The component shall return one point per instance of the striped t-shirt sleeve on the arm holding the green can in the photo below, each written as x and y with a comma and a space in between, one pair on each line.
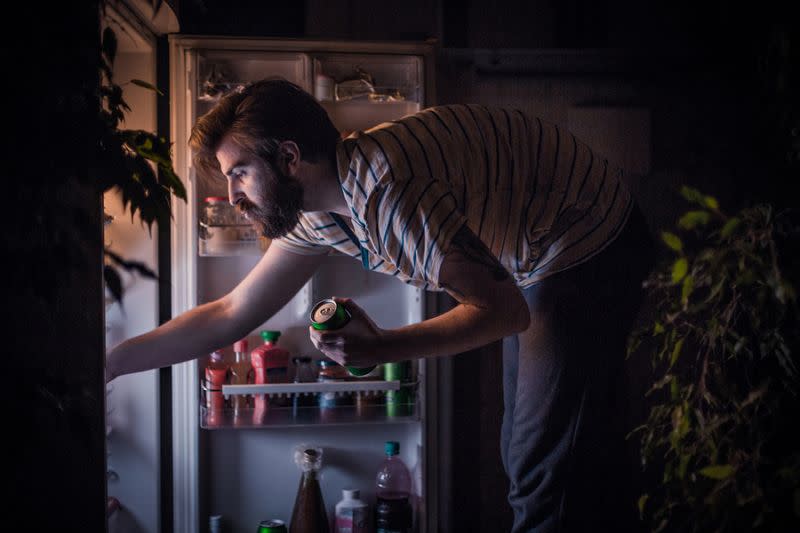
413, 222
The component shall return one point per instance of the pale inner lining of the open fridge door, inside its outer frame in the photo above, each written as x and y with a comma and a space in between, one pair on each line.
247, 474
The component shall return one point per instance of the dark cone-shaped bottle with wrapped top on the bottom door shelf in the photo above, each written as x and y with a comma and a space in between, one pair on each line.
309, 514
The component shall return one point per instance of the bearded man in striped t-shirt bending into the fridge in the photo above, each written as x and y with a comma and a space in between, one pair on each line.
533, 234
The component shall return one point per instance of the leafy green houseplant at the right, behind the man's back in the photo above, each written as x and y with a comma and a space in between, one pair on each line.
719, 444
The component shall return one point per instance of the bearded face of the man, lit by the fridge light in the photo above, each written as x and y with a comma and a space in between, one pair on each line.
270, 199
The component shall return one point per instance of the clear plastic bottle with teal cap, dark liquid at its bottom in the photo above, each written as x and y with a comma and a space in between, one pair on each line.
393, 512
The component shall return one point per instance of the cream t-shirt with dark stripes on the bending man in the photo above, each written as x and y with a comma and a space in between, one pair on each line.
539, 198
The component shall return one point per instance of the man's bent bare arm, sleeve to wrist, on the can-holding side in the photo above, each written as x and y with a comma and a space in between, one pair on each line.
491, 306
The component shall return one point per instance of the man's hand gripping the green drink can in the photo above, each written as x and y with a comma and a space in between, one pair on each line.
360, 343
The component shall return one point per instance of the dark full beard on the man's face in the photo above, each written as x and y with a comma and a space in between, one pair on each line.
283, 213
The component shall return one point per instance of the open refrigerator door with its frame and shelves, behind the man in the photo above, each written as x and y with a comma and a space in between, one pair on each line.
242, 467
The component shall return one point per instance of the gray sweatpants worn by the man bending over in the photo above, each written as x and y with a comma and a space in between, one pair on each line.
562, 440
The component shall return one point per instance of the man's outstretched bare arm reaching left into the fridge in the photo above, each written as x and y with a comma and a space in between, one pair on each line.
264, 291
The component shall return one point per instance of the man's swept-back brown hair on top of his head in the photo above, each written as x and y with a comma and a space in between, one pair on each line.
258, 118
